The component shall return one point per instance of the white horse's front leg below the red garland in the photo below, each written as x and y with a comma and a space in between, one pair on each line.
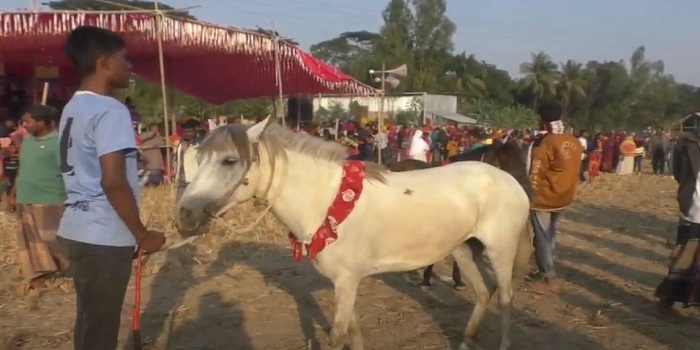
345, 322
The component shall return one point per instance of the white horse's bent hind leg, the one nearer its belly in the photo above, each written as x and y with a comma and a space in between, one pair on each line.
465, 259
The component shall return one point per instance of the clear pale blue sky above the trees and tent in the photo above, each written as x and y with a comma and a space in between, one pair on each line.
501, 32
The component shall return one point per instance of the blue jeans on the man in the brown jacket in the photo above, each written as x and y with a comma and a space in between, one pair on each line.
544, 224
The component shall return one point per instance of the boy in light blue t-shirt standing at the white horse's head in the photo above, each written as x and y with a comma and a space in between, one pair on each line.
100, 228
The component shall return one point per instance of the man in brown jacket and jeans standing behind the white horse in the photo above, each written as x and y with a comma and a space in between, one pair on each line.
554, 161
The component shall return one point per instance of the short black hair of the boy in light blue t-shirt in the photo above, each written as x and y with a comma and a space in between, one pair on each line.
86, 44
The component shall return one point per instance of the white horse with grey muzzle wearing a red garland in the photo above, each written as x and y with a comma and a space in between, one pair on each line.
400, 221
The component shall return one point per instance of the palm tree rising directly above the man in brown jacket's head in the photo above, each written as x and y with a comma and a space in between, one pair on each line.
540, 76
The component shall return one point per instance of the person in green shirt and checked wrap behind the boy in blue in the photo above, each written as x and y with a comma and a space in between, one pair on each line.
37, 196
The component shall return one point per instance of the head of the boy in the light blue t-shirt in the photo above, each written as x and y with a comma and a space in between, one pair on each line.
99, 53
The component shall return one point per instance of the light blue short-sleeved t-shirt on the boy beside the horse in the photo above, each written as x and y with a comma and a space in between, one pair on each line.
91, 126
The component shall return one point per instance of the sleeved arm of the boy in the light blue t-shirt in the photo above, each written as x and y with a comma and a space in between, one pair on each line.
114, 140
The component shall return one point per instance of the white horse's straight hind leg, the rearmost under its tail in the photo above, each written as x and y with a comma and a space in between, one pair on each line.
502, 265
